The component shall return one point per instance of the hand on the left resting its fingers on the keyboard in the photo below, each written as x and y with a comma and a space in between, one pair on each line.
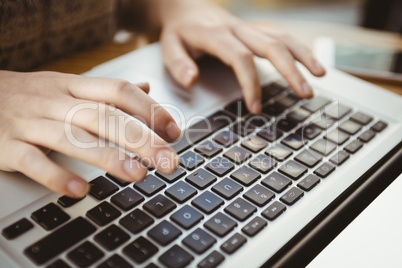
73, 115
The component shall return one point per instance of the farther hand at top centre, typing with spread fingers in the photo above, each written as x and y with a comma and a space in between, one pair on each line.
190, 28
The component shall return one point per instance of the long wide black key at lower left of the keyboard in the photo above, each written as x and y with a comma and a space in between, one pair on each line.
60, 240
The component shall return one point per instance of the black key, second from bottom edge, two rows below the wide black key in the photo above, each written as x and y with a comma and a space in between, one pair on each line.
140, 250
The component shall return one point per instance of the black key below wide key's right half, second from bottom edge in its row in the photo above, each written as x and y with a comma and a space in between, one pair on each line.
85, 255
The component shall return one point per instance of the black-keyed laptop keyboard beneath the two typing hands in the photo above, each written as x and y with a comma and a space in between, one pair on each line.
237, 173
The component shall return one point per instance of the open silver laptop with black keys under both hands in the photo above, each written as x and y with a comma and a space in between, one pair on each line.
251, 191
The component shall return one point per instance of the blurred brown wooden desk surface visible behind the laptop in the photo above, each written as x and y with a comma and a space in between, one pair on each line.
83, 61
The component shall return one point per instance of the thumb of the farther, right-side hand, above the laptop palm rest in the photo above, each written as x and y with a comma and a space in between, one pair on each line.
178, 60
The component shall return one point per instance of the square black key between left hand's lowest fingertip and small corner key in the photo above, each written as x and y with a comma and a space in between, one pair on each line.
50, 216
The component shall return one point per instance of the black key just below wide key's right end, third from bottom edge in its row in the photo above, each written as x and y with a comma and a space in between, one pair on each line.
112, 237
